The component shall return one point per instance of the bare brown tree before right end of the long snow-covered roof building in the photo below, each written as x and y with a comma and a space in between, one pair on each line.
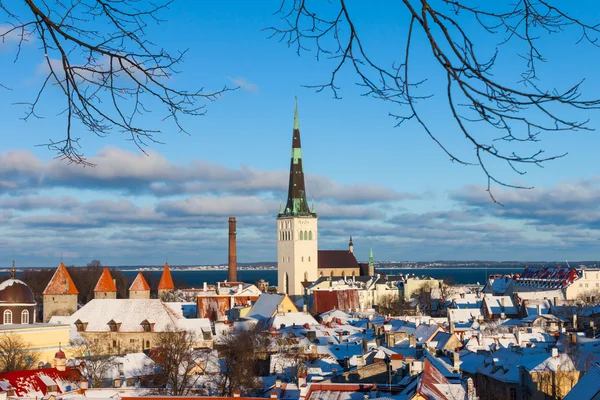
178, 362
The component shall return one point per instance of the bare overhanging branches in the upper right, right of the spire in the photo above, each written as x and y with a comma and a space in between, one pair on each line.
454, 37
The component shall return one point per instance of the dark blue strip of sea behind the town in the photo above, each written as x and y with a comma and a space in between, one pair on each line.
197, 278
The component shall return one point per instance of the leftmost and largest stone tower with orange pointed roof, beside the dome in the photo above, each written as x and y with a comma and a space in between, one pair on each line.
60, 296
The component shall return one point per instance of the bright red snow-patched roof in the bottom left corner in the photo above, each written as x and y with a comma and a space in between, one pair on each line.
29, 383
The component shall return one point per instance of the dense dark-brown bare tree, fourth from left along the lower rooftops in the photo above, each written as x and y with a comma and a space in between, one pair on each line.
240, 349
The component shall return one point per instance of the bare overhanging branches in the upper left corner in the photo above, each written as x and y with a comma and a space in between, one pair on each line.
98, 56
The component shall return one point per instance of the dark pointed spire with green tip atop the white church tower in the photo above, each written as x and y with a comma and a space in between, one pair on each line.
296, 204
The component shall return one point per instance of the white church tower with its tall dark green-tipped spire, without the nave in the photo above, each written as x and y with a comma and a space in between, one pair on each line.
297, 240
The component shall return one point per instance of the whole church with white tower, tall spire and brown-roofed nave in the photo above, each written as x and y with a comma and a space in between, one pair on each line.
298, 258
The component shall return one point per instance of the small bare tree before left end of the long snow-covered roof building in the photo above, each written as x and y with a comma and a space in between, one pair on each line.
97, 358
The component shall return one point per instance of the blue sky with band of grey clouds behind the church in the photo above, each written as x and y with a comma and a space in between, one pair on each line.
391, 188
